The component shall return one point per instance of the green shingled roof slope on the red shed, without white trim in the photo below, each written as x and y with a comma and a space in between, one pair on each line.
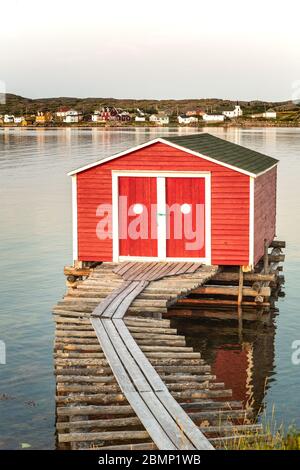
225, 152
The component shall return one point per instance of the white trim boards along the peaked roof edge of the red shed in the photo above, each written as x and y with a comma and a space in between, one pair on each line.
171, 144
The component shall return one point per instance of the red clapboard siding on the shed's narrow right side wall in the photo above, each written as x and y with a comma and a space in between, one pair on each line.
264, 211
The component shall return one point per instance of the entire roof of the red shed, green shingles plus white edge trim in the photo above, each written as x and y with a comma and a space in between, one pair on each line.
208, 147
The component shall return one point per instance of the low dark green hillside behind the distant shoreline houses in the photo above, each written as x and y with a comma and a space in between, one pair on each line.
19, 105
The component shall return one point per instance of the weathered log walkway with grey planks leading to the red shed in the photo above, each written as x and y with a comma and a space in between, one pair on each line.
138, 368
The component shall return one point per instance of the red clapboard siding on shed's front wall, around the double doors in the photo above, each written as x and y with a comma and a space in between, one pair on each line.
229, 211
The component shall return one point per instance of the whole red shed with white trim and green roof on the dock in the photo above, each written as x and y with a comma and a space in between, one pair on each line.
195, 197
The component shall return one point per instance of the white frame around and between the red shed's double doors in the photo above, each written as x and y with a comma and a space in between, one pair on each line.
161, 203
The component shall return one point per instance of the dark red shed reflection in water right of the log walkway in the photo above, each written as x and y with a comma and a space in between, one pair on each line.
241, 358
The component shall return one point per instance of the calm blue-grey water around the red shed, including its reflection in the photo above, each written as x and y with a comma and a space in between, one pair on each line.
35, 243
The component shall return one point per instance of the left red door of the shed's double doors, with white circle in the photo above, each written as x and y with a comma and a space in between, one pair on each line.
137, 216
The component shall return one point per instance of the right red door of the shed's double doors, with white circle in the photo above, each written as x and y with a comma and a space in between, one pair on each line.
185, 199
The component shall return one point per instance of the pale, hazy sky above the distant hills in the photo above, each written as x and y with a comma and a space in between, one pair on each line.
157, 49
